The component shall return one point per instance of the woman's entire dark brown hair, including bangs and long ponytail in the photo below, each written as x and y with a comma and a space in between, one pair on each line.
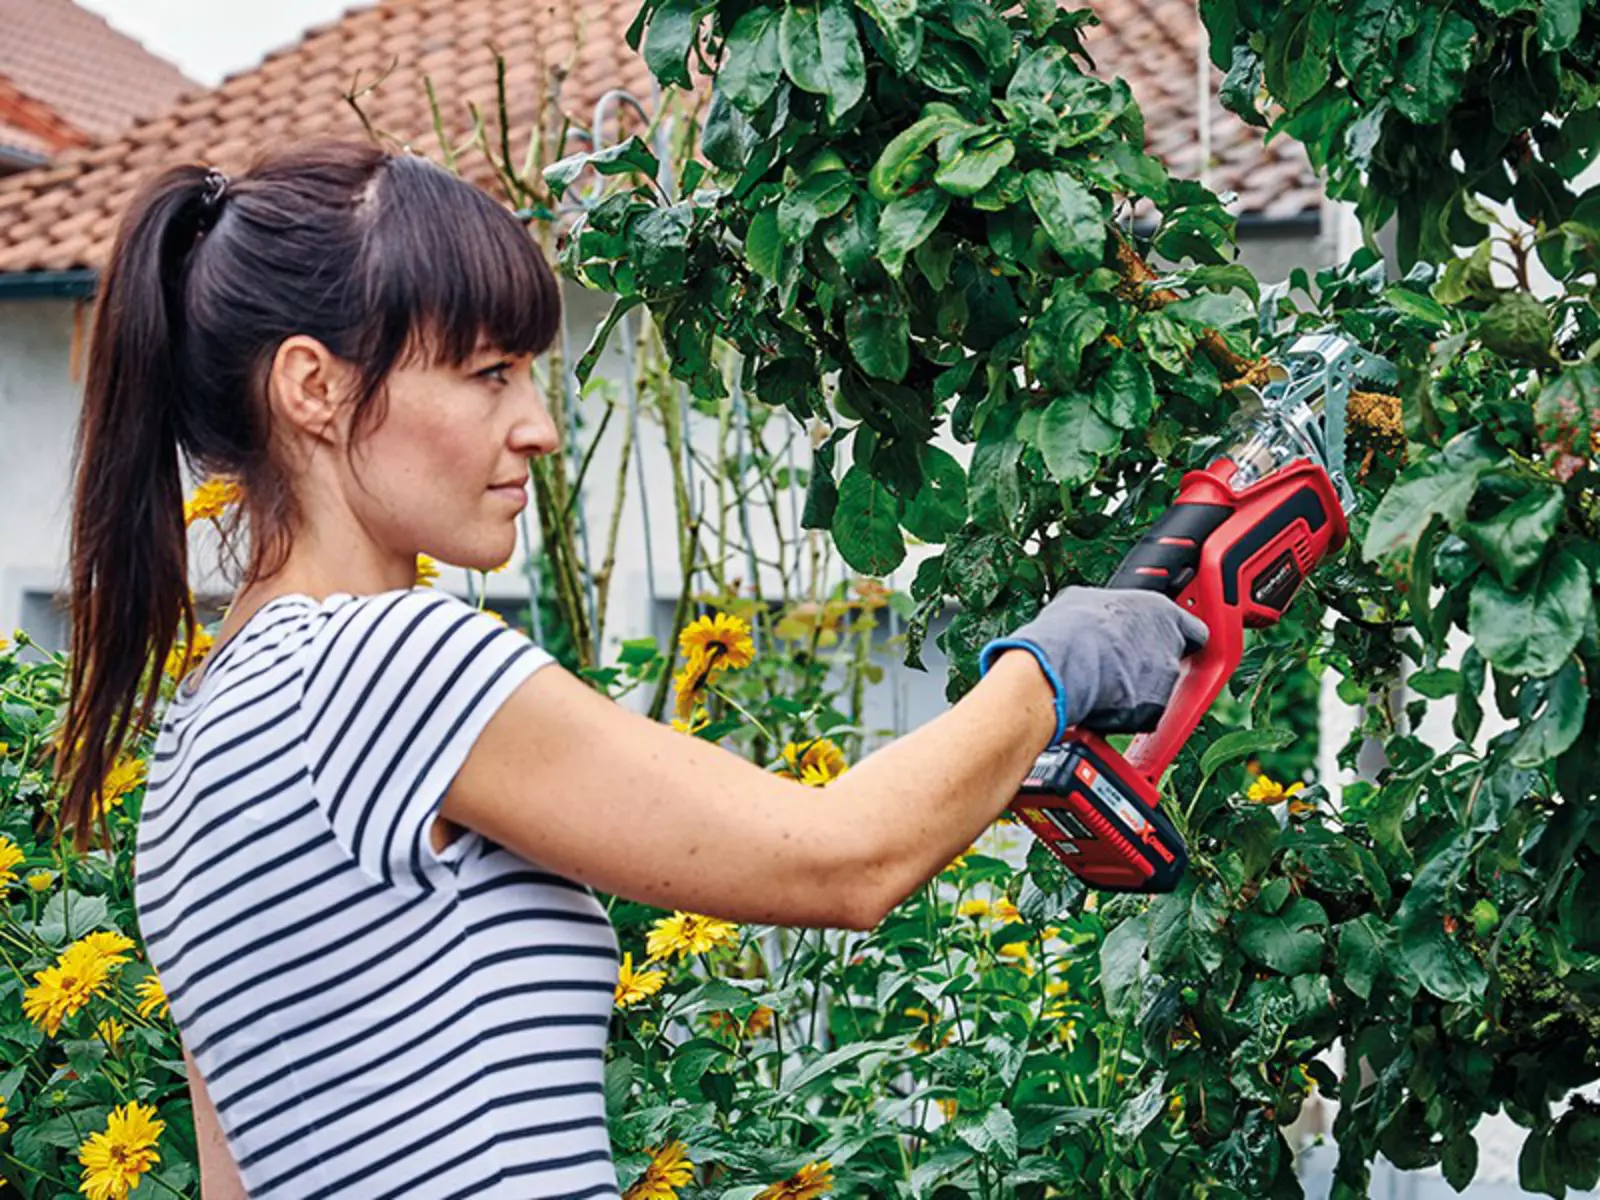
382, 257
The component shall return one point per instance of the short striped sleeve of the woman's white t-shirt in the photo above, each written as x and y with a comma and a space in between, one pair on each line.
398, 689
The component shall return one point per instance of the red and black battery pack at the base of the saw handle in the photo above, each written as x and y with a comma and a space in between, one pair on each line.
1102, 818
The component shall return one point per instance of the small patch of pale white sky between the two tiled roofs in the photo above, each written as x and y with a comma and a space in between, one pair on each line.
209, 39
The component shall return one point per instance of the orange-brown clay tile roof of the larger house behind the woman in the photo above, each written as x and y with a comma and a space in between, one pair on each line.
578, 46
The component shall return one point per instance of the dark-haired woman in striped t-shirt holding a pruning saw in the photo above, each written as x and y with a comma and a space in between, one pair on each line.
375, 815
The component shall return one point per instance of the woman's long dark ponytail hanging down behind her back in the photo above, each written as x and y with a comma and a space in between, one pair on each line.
130, 559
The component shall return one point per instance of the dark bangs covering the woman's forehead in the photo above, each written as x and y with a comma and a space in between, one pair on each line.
455, 271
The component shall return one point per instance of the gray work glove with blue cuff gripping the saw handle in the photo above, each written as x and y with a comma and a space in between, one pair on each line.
1113, 655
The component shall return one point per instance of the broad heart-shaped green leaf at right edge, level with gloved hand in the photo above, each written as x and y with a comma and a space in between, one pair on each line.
1532, 633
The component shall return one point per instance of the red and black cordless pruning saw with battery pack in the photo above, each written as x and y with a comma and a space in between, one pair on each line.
1233, 550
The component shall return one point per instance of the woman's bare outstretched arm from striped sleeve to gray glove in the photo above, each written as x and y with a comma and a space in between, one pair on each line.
593, 791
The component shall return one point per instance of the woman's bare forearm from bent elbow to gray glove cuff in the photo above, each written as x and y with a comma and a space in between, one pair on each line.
926, 798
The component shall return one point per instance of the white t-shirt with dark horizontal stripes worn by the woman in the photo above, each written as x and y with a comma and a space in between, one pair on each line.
372, 1020
